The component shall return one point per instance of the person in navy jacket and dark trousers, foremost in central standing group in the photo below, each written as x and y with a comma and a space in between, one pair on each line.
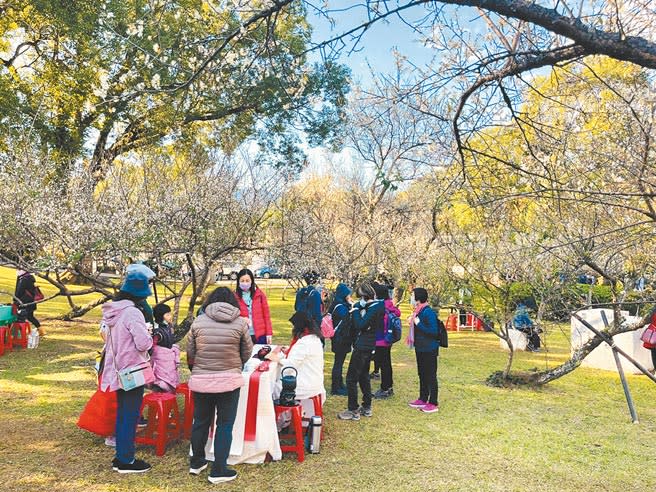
368, 317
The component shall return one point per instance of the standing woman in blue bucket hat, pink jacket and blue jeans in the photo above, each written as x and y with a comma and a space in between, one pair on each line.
128, 341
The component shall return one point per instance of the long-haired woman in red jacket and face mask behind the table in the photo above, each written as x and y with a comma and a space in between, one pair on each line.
254, 307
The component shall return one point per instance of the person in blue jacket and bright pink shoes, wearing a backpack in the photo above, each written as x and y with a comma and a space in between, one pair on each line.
424, 337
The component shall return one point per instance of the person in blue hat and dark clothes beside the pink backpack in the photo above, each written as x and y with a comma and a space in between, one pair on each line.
340, 344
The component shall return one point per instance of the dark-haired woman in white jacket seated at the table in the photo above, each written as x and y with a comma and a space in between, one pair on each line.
305, 354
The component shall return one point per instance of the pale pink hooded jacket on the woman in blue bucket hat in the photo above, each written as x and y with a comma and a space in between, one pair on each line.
128, 341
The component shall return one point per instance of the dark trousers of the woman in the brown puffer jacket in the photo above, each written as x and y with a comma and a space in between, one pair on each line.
206, 406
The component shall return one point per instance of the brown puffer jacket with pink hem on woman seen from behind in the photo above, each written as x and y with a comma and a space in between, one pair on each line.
217, 348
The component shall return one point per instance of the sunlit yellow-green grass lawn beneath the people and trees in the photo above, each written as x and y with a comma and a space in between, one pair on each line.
573, 435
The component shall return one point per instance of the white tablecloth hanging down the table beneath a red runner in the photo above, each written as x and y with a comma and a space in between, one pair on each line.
266, 435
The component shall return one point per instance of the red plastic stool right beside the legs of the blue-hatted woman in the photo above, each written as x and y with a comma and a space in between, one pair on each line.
160, 407
